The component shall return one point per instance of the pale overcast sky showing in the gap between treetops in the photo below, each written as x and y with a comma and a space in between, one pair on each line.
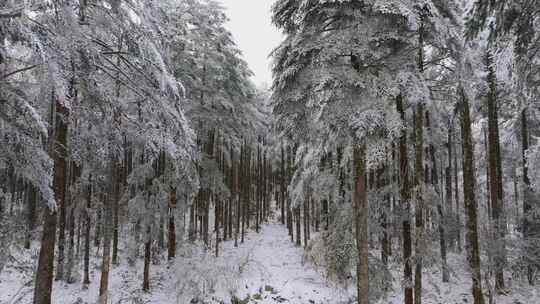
251, 26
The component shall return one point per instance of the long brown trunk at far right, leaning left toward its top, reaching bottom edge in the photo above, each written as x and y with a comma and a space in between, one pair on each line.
473, 247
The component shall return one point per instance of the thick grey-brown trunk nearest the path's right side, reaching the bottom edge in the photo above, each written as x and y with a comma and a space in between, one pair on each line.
361, 211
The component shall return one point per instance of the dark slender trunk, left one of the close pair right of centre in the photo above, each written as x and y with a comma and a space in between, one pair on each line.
405, 196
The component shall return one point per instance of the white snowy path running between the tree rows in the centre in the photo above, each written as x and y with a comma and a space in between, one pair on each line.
277, 272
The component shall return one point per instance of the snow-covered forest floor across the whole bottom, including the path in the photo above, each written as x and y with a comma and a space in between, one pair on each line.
267, 268
